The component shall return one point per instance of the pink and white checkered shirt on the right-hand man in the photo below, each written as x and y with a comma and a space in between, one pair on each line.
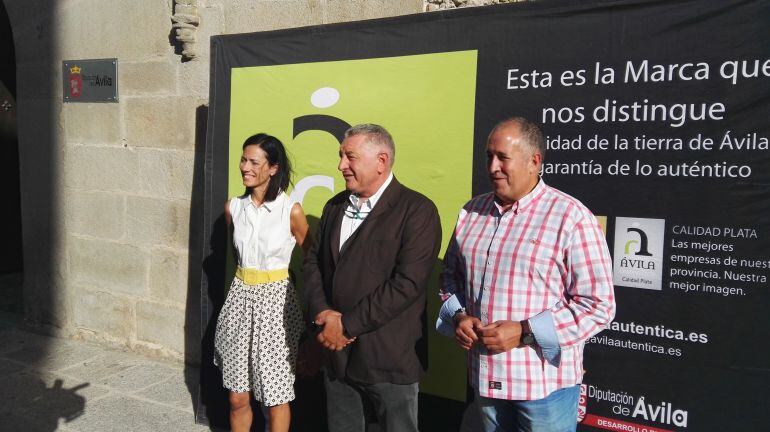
547, 253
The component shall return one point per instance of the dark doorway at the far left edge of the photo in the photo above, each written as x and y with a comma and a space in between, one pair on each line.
10, 217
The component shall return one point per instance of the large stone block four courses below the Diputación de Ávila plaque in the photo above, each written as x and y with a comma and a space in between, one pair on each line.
108, 266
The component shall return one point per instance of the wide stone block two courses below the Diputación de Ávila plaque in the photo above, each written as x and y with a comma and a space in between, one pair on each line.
101, 168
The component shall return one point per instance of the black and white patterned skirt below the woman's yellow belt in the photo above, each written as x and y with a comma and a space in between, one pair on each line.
256, 340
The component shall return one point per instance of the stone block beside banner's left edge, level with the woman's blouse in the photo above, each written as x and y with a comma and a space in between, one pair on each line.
162, 222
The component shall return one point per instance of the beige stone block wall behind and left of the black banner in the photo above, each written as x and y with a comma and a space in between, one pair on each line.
107, 192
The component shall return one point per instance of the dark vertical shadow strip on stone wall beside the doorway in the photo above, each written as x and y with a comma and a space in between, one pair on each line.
35, 48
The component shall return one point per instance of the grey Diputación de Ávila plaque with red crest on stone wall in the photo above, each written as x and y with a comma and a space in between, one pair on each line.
93, 80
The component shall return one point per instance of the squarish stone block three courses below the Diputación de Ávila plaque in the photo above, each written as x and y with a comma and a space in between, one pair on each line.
95, 214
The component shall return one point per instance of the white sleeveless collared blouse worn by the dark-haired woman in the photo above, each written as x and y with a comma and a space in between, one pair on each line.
262, 235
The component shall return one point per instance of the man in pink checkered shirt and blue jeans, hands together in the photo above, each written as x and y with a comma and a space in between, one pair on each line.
527, 280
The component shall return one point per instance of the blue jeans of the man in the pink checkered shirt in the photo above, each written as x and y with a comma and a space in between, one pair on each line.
556, 412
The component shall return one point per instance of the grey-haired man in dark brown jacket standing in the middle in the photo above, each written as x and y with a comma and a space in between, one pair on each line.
365, 287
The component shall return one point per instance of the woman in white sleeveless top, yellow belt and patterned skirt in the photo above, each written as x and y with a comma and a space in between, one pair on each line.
260, 323
